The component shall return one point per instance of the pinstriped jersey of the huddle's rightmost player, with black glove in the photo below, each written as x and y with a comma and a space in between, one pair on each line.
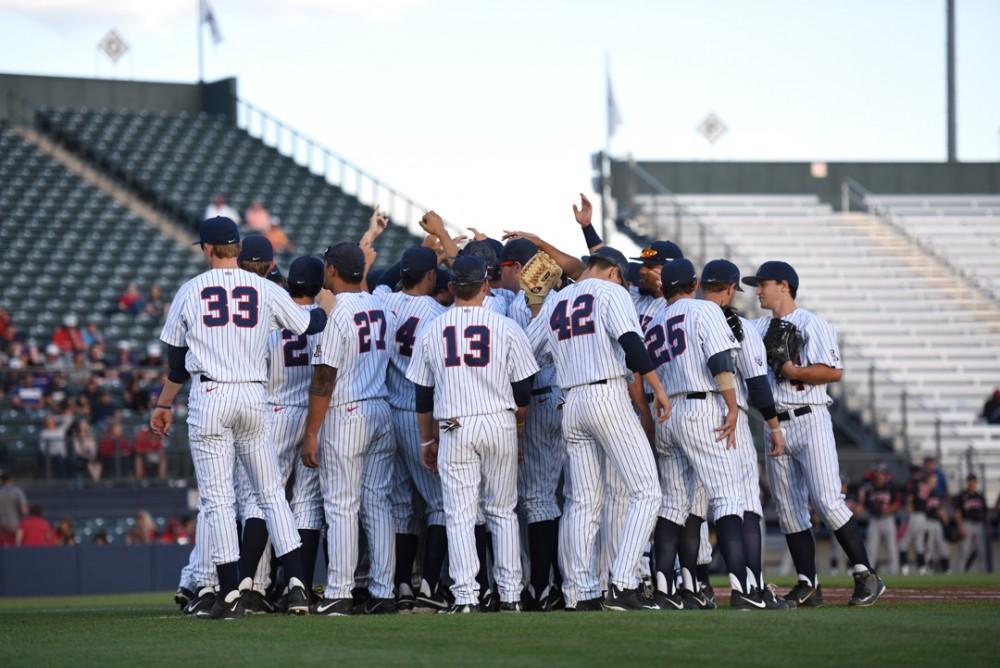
821, 347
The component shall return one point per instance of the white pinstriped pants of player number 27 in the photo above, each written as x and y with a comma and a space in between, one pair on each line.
356, 457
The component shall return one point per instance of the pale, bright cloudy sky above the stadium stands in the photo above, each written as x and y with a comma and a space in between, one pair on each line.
488, 110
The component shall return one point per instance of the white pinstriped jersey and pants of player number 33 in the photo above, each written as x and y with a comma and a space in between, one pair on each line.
224, 317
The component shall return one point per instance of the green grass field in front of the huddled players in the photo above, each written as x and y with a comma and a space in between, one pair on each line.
145, 629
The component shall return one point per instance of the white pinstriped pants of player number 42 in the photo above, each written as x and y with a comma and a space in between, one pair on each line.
601, 431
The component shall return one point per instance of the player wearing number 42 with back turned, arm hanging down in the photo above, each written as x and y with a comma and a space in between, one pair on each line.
592, 333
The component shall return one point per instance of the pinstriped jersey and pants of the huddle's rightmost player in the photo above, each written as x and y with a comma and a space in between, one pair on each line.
809, 469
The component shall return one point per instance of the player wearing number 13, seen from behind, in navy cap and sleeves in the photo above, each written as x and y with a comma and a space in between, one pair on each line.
472, 369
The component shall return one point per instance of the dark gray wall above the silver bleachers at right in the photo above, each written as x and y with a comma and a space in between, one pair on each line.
795, 178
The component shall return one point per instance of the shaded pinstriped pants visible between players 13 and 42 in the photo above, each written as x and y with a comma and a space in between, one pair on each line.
543, 456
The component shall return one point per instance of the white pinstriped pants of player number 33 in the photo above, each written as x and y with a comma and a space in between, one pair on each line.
226, 423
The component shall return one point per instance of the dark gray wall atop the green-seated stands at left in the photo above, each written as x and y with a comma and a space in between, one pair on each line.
21, 94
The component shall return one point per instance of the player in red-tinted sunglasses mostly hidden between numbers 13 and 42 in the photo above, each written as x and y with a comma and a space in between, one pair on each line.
543, 453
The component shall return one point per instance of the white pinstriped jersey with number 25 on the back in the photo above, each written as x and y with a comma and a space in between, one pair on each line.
682, 339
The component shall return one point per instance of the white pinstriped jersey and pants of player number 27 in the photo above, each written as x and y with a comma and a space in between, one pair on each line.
356, 450
